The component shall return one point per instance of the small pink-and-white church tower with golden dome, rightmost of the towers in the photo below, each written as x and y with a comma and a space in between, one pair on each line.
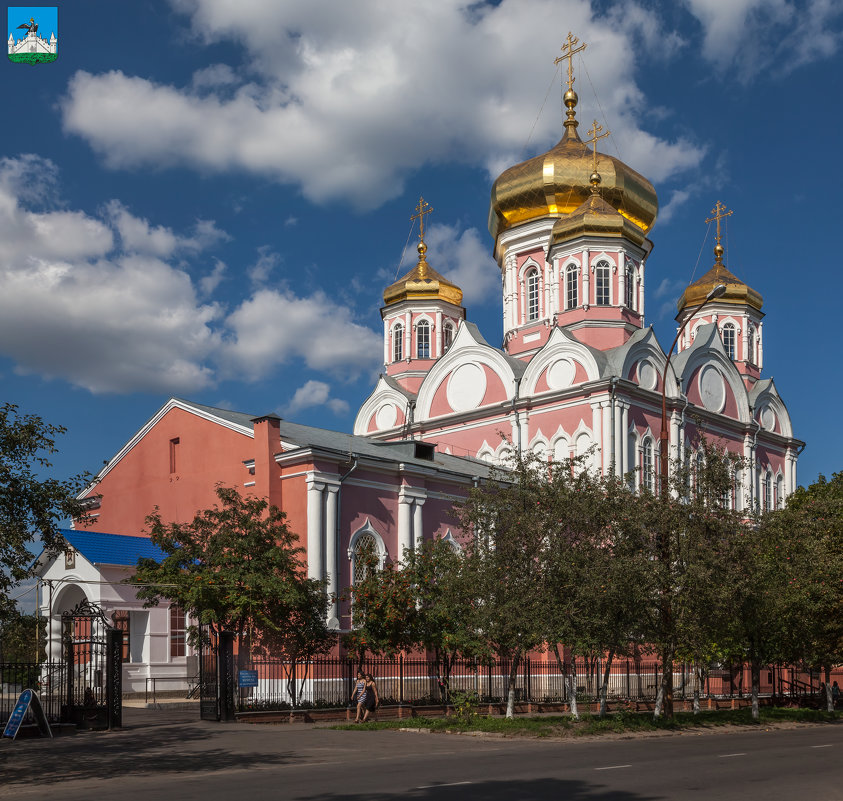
737, 313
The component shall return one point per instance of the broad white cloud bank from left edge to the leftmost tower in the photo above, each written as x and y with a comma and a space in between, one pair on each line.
95, 301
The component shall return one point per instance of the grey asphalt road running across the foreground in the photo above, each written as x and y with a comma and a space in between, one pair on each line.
167, 755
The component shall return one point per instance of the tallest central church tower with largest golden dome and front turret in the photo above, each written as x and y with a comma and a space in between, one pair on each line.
570, 232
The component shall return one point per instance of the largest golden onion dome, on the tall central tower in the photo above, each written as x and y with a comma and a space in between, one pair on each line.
557, 182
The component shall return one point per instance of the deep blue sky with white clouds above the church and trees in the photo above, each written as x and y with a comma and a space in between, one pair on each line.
206, 199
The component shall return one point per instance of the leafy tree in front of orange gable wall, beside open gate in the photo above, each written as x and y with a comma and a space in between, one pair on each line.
238, 566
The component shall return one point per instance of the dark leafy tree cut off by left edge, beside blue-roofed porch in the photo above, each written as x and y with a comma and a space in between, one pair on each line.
31, 506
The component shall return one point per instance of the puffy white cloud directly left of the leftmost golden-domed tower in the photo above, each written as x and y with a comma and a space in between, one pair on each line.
274, 326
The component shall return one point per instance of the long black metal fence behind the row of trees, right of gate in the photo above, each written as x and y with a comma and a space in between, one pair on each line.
329, 682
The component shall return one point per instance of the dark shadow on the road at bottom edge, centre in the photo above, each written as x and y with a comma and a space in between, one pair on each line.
529, 790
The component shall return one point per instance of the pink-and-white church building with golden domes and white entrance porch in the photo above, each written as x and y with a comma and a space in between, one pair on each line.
579, 374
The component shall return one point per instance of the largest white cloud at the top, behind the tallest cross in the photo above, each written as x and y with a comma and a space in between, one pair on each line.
384, 88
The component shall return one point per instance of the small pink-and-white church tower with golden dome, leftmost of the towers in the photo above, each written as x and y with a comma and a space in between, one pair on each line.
421, 314
